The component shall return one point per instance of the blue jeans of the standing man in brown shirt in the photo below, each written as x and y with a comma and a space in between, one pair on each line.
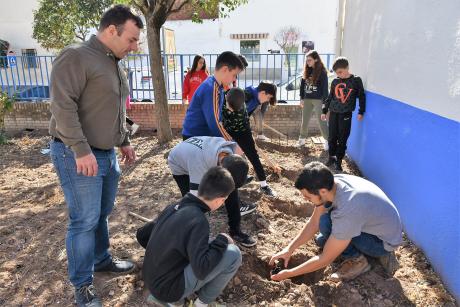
89, 201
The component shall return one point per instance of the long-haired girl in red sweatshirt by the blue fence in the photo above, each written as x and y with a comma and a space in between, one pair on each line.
194, 78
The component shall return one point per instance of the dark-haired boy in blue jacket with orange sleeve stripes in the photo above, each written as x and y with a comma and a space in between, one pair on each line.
203, 116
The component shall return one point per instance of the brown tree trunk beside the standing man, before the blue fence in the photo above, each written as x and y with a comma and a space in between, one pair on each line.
159, 85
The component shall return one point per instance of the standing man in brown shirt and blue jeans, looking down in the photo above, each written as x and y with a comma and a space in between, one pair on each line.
88, 95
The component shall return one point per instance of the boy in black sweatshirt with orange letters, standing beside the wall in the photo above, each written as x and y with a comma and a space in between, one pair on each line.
340, 104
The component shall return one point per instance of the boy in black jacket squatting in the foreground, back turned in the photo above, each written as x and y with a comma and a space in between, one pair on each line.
180, 259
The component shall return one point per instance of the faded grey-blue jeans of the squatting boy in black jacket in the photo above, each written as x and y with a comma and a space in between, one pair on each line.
213, 285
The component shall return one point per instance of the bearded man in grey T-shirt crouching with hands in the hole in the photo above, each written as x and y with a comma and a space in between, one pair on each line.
354, 218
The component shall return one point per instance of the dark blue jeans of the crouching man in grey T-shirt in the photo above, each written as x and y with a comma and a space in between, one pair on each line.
365, 243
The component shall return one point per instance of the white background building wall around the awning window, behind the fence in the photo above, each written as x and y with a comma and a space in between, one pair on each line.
316, 19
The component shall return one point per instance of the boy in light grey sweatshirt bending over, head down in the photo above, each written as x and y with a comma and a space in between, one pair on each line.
189, 161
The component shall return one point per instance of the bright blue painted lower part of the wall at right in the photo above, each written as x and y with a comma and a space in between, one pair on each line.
414, 156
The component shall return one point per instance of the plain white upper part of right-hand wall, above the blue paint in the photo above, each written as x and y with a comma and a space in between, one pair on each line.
407, 50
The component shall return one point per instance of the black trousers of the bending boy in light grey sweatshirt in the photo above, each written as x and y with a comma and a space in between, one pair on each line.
232, 204
